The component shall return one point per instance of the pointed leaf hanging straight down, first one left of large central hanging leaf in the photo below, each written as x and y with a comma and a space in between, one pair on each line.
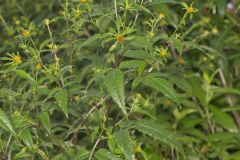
62, 100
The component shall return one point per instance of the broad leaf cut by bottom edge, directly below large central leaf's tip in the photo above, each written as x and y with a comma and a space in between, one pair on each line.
125, 143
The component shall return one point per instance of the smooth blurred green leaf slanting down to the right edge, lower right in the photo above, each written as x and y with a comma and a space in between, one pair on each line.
223, 119
